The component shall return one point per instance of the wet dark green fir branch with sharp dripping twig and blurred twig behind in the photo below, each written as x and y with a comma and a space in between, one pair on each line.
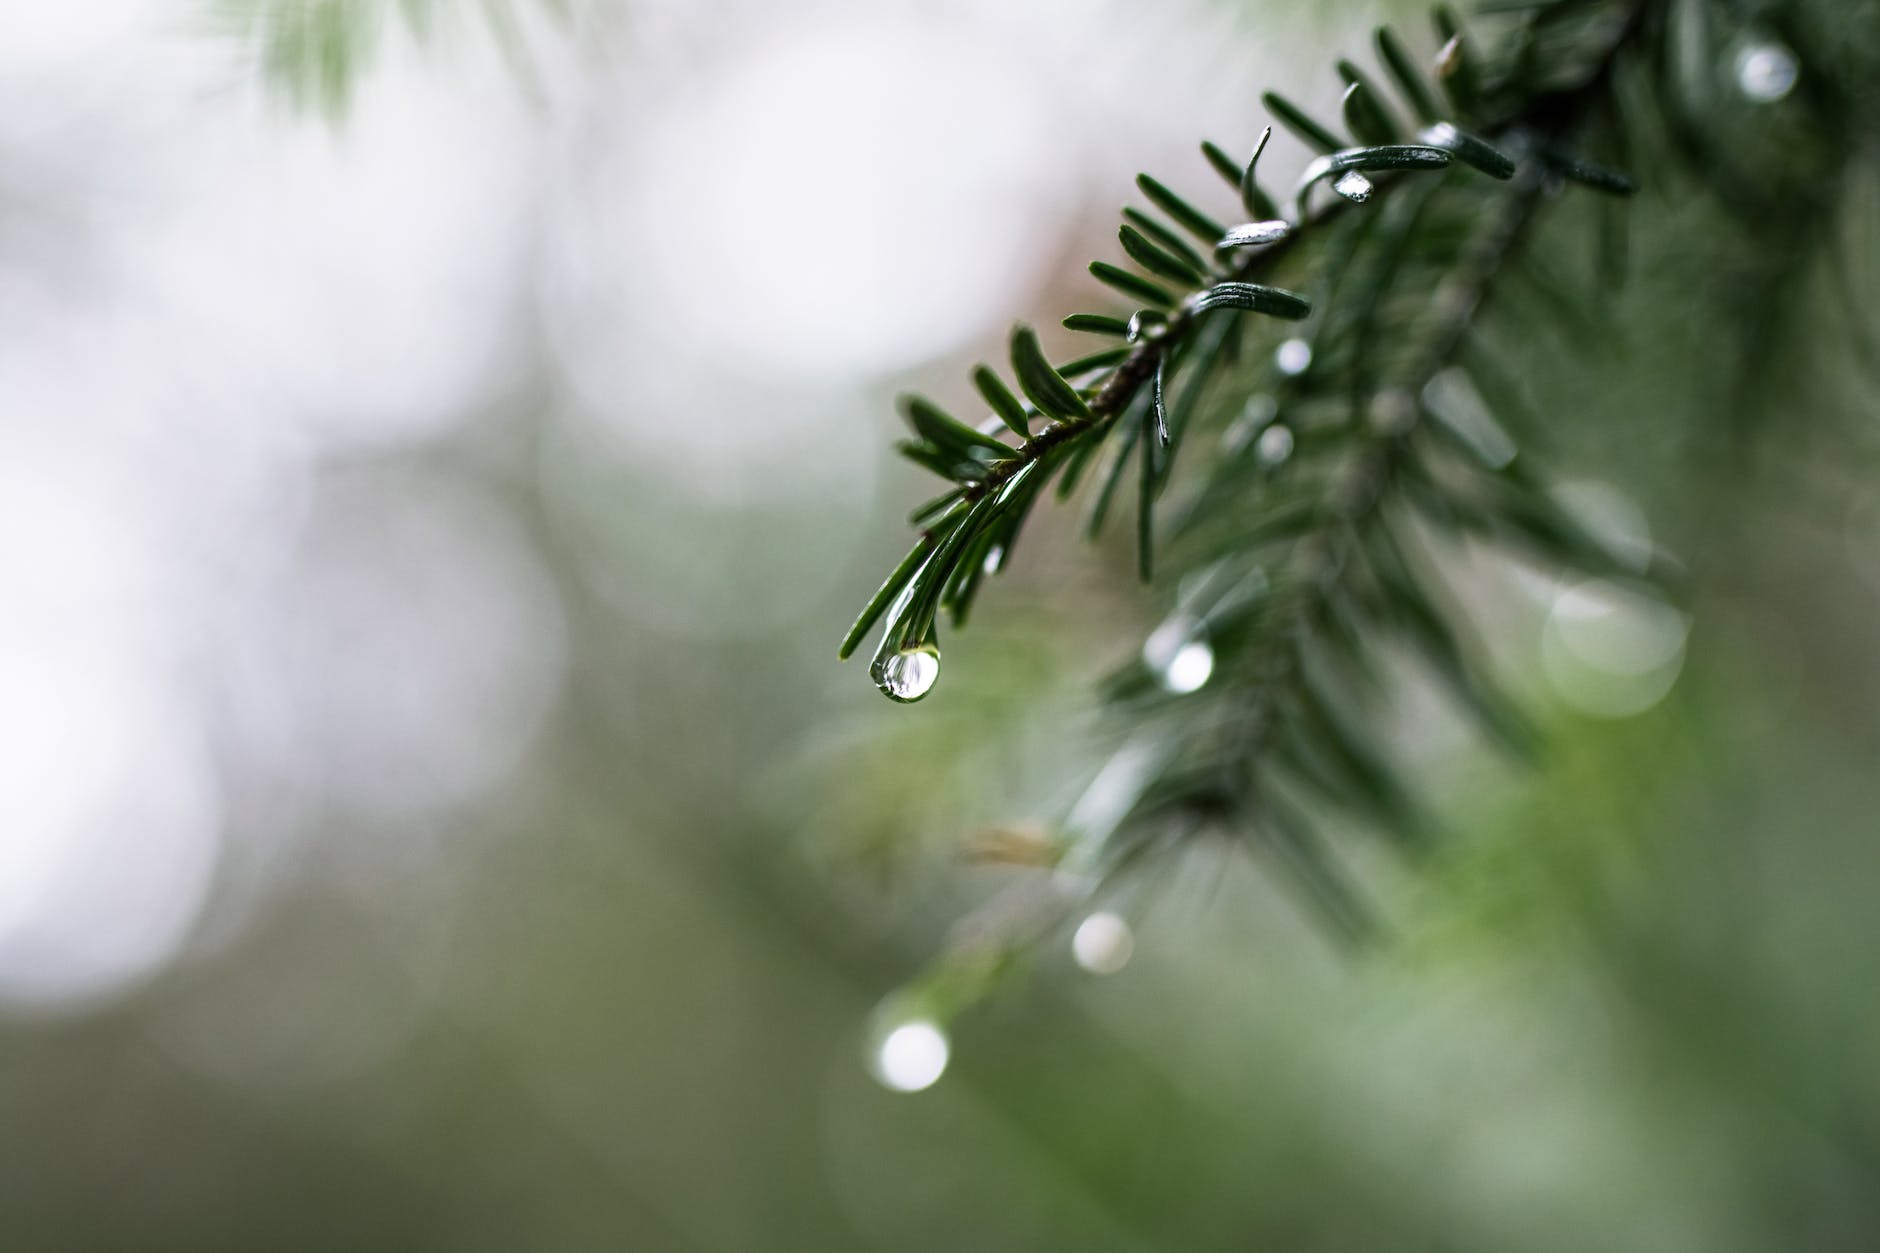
1347, 456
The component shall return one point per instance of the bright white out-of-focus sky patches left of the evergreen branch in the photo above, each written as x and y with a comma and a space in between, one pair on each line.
721, 230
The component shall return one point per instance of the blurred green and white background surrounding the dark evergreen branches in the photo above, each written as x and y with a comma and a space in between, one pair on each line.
441, 449
